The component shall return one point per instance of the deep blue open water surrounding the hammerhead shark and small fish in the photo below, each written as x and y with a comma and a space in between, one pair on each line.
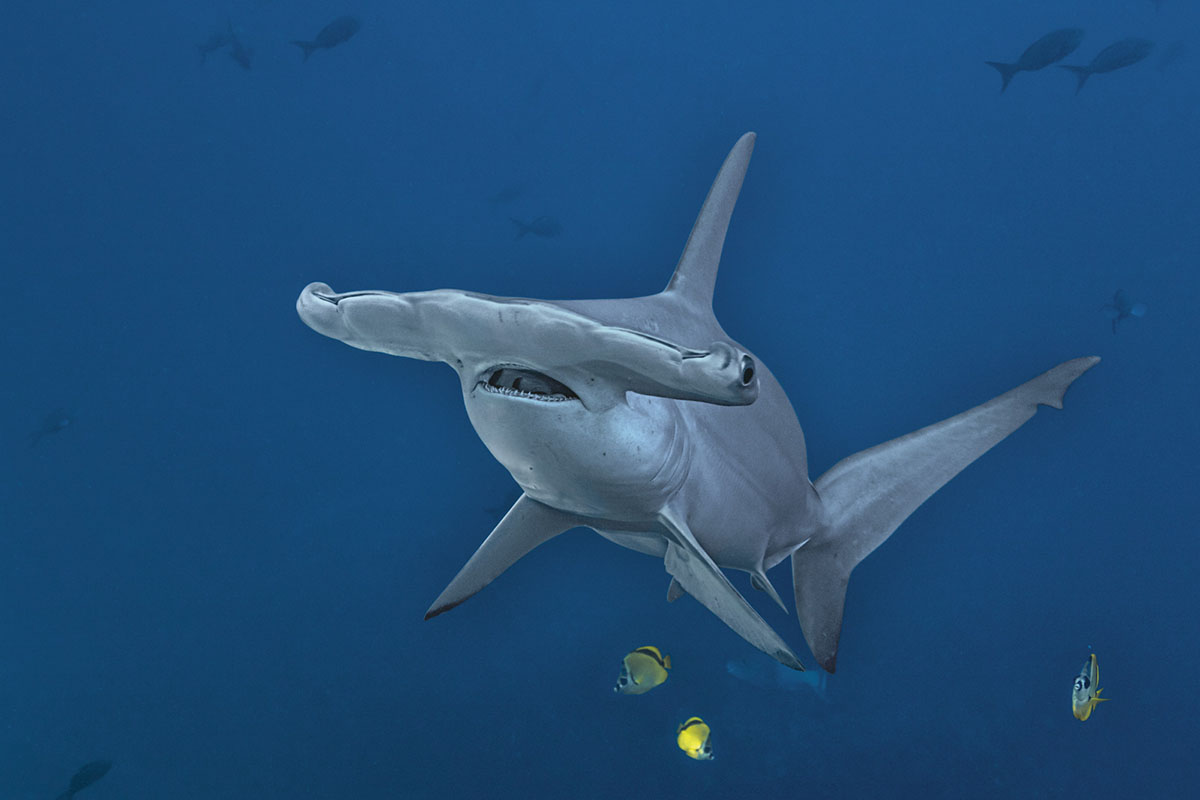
215, 576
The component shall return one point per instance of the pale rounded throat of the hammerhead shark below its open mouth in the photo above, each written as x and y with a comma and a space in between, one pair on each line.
620, 465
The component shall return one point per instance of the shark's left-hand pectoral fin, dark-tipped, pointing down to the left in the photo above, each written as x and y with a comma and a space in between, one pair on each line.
526, 526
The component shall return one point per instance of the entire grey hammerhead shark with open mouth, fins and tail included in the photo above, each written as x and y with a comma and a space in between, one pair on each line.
643, 420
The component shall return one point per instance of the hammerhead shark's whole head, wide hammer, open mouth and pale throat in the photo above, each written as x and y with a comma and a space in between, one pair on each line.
562, 400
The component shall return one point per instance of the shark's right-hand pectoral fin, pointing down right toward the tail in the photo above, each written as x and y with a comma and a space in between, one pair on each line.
700, 578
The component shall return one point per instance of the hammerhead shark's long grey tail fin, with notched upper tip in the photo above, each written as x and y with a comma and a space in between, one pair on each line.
871, 494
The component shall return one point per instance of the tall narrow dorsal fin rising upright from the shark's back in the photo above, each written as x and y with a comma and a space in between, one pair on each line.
697, 272
